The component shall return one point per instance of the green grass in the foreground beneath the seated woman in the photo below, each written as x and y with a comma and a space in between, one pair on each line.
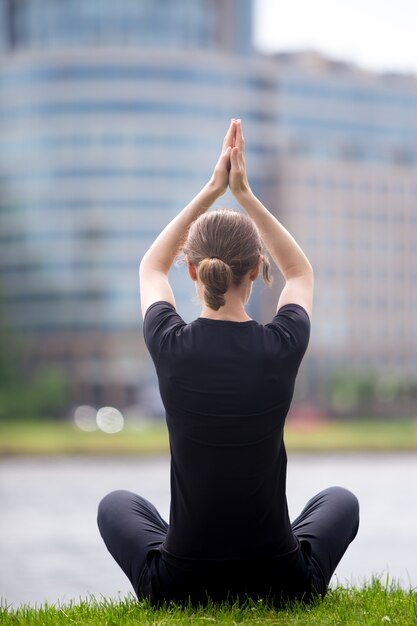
375, 604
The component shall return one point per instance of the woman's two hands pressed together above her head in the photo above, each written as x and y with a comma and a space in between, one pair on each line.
230, 169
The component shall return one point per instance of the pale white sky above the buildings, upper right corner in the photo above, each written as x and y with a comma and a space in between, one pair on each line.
379, 35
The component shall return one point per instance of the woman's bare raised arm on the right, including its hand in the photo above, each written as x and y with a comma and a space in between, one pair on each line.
287, 254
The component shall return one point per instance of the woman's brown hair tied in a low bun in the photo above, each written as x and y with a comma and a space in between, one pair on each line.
223, 246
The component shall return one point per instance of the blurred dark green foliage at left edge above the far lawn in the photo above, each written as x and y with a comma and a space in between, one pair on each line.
43, 393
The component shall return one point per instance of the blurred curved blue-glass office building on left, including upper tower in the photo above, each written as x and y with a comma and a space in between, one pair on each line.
101, 144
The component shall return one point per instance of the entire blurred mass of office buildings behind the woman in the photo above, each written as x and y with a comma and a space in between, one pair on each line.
111, 117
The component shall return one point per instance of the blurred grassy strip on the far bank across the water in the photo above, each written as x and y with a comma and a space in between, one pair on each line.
63, 437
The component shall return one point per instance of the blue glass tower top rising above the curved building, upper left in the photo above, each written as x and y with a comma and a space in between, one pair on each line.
221, 25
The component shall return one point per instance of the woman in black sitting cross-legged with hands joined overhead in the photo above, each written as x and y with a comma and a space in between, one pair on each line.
227, 383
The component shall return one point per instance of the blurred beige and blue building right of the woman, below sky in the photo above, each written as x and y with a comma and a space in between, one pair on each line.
348, 189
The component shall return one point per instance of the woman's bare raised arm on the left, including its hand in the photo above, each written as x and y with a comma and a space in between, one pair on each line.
157, 261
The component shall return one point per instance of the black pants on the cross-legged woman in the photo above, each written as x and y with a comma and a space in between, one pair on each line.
133, 532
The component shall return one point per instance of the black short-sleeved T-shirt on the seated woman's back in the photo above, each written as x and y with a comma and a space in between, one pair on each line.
227, 387
